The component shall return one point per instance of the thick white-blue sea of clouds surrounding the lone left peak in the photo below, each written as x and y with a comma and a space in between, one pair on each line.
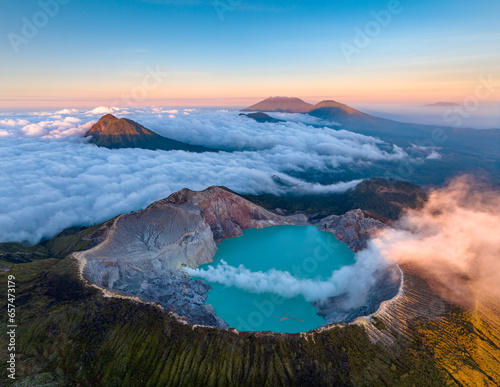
52, 178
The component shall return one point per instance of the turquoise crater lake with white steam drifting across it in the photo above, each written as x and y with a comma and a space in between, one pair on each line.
304, 252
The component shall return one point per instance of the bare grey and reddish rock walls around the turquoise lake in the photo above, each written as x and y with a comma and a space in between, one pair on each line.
143, 253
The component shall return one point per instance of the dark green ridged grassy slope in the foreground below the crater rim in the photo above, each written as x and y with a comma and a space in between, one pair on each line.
70, 334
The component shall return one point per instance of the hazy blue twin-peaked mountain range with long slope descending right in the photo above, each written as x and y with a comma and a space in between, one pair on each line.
461, 150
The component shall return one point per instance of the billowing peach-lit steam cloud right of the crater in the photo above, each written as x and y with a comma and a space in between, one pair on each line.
454, 241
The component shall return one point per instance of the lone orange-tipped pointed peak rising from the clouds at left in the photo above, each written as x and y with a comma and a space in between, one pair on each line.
111, 132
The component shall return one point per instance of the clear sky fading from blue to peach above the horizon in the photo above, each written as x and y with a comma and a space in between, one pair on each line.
98, 50
